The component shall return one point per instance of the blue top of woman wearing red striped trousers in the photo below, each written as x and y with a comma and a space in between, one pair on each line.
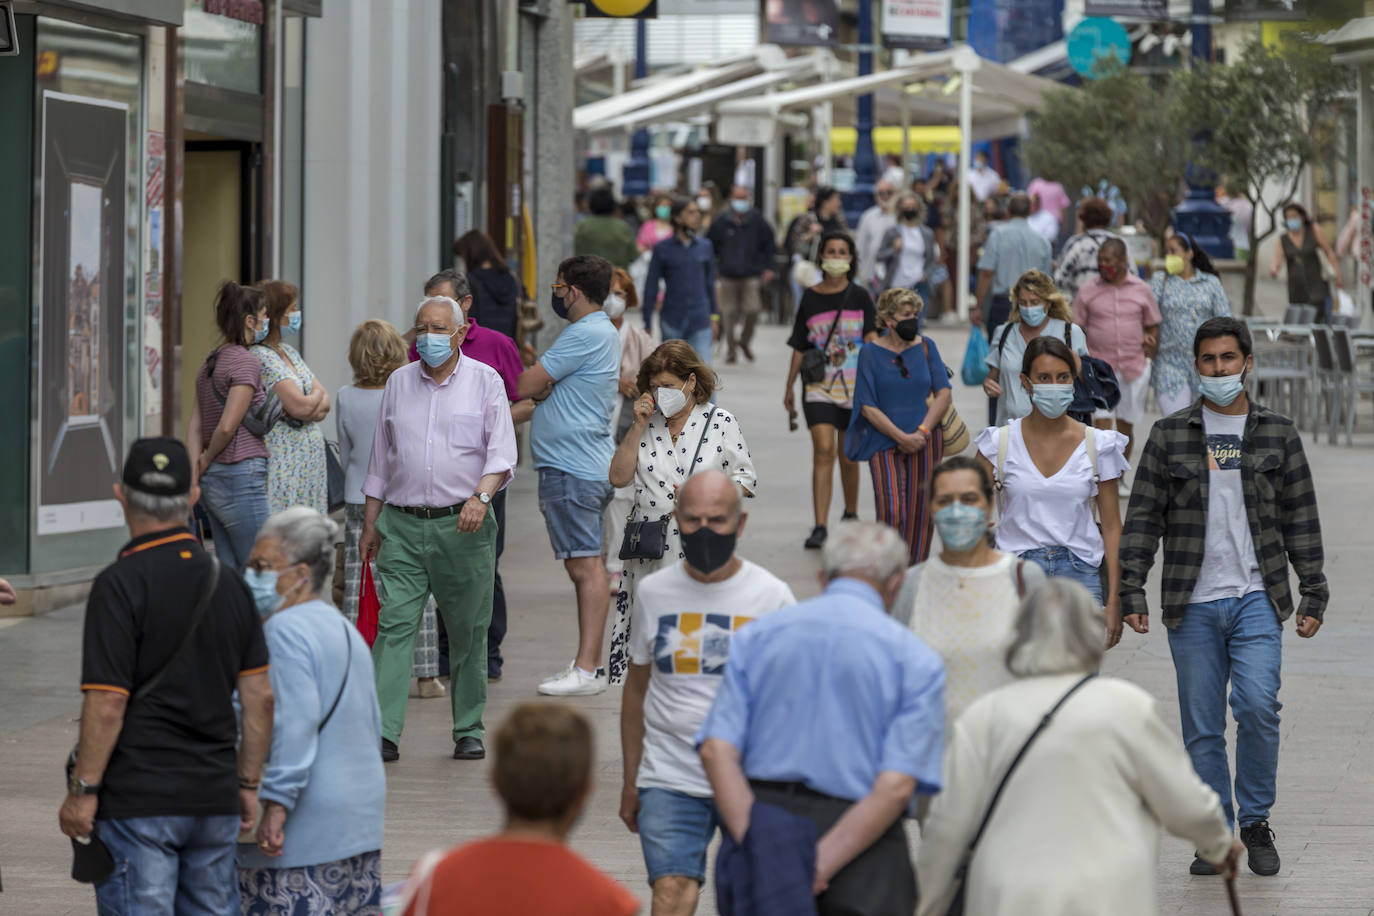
880, 384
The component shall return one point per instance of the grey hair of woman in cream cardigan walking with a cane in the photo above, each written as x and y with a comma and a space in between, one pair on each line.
1060, 630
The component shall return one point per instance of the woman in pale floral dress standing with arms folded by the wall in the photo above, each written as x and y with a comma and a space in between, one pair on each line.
296, 469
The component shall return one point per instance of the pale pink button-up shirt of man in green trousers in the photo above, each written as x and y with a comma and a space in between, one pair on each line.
435, 443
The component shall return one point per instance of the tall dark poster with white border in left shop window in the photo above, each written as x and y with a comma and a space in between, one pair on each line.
83, 301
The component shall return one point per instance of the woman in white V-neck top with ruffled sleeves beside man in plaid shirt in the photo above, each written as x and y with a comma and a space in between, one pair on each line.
1050, 470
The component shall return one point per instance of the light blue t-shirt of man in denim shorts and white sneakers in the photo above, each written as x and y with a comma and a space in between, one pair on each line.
571, 431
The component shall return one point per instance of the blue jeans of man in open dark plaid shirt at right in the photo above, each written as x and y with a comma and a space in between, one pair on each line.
1237, 639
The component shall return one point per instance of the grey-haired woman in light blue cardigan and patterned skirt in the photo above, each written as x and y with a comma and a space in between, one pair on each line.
324, 793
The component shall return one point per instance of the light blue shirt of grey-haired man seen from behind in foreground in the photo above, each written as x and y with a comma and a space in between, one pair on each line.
831, 693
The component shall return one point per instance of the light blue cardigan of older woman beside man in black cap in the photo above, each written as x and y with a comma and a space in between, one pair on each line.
329, 781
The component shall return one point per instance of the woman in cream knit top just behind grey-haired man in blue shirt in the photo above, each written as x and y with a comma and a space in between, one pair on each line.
962, 602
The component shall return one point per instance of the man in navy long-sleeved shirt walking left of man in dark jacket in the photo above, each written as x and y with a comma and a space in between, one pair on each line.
686, 264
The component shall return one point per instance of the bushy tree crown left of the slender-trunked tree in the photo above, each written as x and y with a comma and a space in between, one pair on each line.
1118, 127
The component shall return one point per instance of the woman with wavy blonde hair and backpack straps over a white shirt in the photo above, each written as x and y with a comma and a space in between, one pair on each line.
1038, 307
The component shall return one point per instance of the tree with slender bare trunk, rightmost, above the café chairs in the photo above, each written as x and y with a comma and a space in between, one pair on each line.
1265, 119
